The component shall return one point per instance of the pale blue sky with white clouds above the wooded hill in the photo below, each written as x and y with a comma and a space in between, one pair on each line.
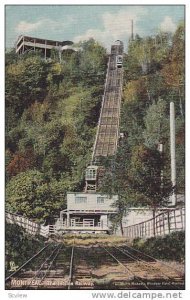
105, 23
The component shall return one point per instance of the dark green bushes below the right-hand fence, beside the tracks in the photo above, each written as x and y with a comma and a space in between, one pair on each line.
169, 247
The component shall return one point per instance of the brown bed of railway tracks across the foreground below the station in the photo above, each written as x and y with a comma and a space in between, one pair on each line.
61, 266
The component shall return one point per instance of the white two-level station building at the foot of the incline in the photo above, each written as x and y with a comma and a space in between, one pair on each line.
87, 213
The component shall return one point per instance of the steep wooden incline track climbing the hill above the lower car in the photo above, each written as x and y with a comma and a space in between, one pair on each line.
108, 127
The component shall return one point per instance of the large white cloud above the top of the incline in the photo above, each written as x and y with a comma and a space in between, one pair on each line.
115, 26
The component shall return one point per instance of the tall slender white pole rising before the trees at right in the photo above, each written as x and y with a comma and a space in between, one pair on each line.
172, 151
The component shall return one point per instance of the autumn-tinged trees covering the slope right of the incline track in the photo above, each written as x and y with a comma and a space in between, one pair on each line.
140, 174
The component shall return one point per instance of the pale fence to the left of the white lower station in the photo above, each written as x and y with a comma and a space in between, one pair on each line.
30, 226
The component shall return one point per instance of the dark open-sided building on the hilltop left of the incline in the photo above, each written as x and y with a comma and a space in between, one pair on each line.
27, 43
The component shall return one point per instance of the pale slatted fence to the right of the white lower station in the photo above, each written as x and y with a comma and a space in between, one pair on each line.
164, 223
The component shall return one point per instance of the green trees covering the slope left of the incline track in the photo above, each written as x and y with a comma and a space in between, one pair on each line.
52, 109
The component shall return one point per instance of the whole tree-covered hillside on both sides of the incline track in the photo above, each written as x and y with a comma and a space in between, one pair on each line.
52, 110
